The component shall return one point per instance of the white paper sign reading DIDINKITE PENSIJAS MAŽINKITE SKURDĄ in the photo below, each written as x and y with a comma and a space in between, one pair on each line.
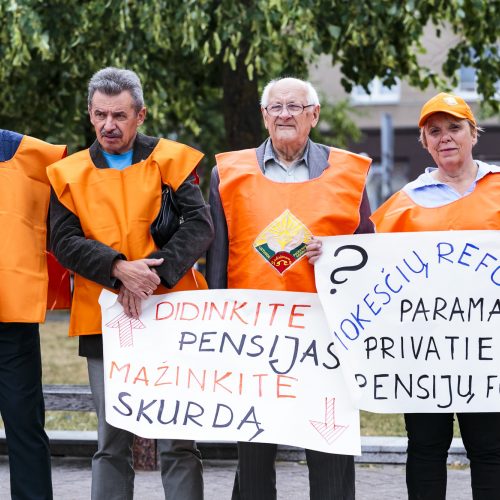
229, 365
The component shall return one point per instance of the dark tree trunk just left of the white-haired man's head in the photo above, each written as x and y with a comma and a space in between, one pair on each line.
242, 117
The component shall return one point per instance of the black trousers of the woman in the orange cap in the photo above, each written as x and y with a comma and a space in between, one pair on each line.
429, 438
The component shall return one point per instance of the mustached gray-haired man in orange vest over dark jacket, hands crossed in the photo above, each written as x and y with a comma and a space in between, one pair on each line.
103, 204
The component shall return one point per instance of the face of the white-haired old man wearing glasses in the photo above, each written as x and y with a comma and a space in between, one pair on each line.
287, 131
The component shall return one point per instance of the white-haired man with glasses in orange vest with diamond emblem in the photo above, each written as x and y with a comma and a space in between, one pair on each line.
269, 202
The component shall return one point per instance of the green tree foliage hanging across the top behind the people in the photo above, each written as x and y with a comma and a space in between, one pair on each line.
203, 62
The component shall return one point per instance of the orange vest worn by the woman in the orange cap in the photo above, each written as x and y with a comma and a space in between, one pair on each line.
478, 210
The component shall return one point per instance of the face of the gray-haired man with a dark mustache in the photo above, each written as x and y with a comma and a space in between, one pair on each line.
115, 121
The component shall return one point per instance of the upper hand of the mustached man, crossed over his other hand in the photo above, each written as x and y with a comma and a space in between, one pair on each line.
136, 275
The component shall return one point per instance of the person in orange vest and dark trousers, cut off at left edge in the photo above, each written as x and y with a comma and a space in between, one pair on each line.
24, 204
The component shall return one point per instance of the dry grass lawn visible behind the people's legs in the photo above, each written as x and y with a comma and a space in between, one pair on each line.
62, 365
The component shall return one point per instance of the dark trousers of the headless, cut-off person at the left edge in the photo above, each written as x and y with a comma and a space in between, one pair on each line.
23, 413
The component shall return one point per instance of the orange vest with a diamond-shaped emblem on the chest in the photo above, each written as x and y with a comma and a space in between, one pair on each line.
269, 223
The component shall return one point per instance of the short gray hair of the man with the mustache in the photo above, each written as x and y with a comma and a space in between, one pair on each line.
114, 81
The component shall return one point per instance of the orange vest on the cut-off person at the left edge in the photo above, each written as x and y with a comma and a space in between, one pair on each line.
24, 204
